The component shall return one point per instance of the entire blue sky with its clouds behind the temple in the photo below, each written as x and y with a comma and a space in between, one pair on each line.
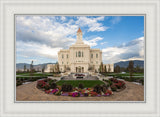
39, 38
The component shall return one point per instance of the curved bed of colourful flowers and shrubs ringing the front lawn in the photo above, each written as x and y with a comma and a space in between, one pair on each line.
105, 88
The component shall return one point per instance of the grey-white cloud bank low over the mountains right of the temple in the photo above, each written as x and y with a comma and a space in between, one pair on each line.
133, 50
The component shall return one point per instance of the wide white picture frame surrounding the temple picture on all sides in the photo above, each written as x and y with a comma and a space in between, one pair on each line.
150, 8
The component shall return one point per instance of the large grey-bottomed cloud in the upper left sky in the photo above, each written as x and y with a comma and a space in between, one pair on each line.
46, 31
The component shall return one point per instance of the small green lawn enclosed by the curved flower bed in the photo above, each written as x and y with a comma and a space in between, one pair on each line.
75, 83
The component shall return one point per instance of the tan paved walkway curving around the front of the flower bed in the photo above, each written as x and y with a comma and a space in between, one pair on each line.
29, 92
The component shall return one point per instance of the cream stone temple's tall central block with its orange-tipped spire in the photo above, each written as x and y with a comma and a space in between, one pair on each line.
80, 58
